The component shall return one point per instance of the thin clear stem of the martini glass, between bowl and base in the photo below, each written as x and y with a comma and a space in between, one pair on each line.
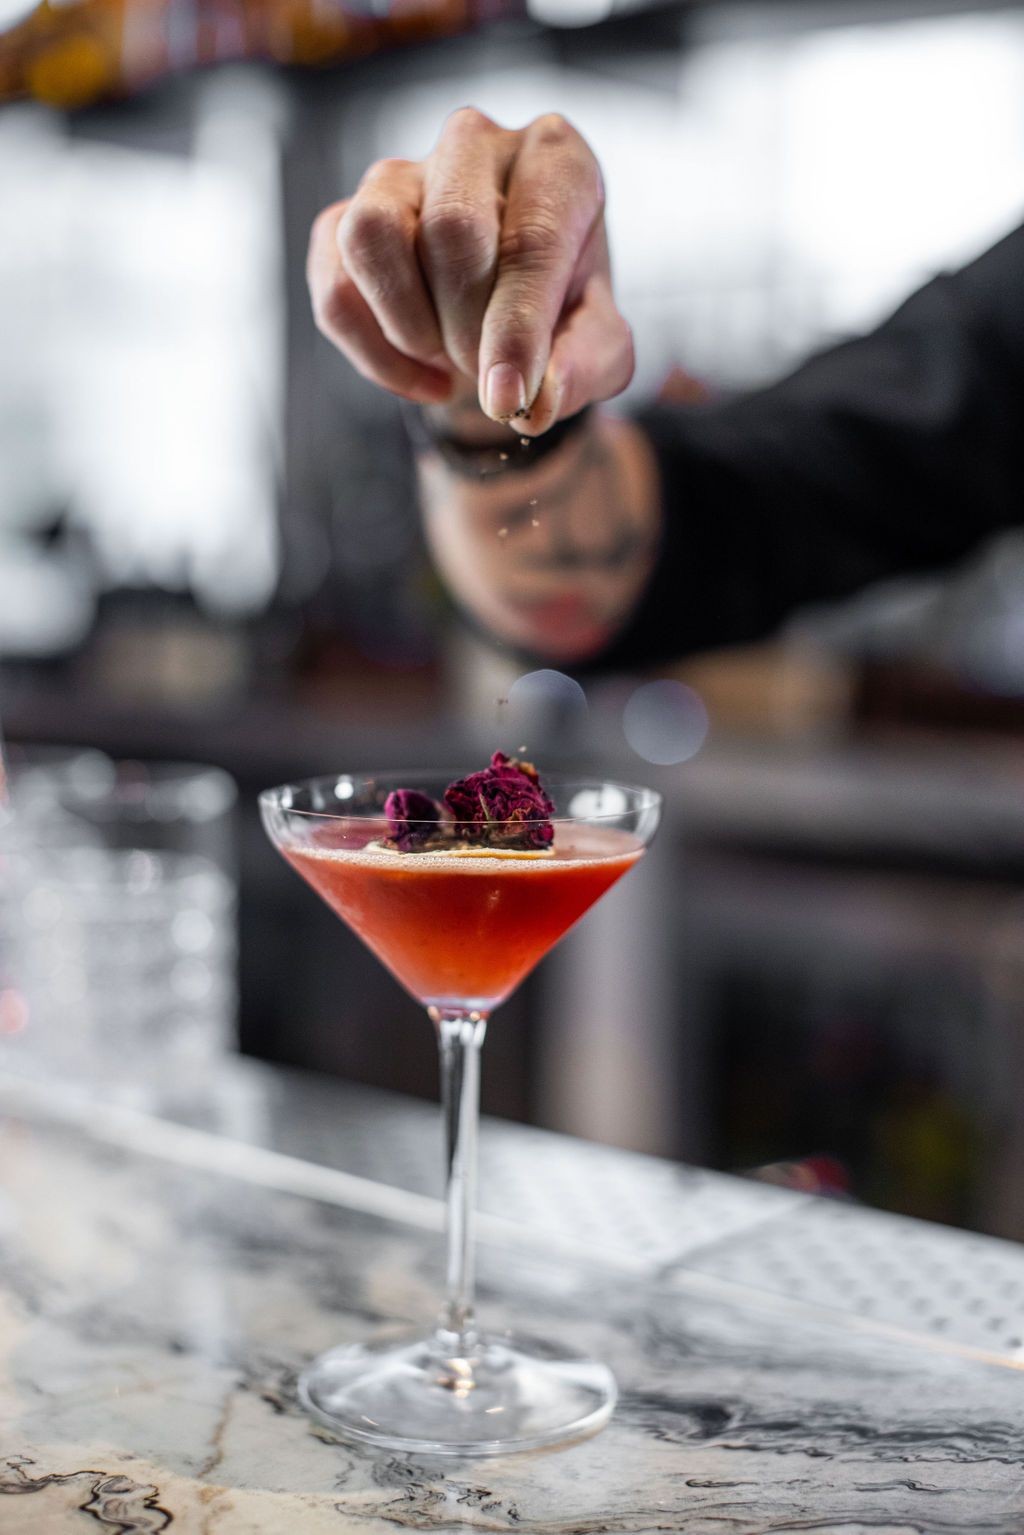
460, 1040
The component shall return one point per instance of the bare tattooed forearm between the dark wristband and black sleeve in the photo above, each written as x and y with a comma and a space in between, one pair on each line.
550, 560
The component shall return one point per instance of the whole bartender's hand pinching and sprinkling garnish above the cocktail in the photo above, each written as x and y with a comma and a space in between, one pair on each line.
489, 262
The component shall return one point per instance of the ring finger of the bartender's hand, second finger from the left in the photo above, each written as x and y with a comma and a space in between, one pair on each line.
377, 239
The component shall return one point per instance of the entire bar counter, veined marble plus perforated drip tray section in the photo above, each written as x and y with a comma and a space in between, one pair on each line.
785, 1364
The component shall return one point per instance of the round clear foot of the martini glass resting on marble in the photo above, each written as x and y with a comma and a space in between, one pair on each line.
449, 1396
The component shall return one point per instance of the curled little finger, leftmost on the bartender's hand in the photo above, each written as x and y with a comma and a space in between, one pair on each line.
345, 317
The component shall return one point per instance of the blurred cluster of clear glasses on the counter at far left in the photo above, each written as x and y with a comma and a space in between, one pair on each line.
119, 922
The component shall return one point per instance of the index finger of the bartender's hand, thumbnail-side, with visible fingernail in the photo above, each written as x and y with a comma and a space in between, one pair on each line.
555, 202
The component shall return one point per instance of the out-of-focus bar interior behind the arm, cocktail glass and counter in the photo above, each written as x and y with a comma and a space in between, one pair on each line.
210, 555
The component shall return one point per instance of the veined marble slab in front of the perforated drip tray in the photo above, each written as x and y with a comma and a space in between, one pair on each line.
153, 1322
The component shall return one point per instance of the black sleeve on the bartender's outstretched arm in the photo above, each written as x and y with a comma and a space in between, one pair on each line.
893, 454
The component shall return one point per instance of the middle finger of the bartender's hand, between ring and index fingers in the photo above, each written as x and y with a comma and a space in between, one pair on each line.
460, 226
